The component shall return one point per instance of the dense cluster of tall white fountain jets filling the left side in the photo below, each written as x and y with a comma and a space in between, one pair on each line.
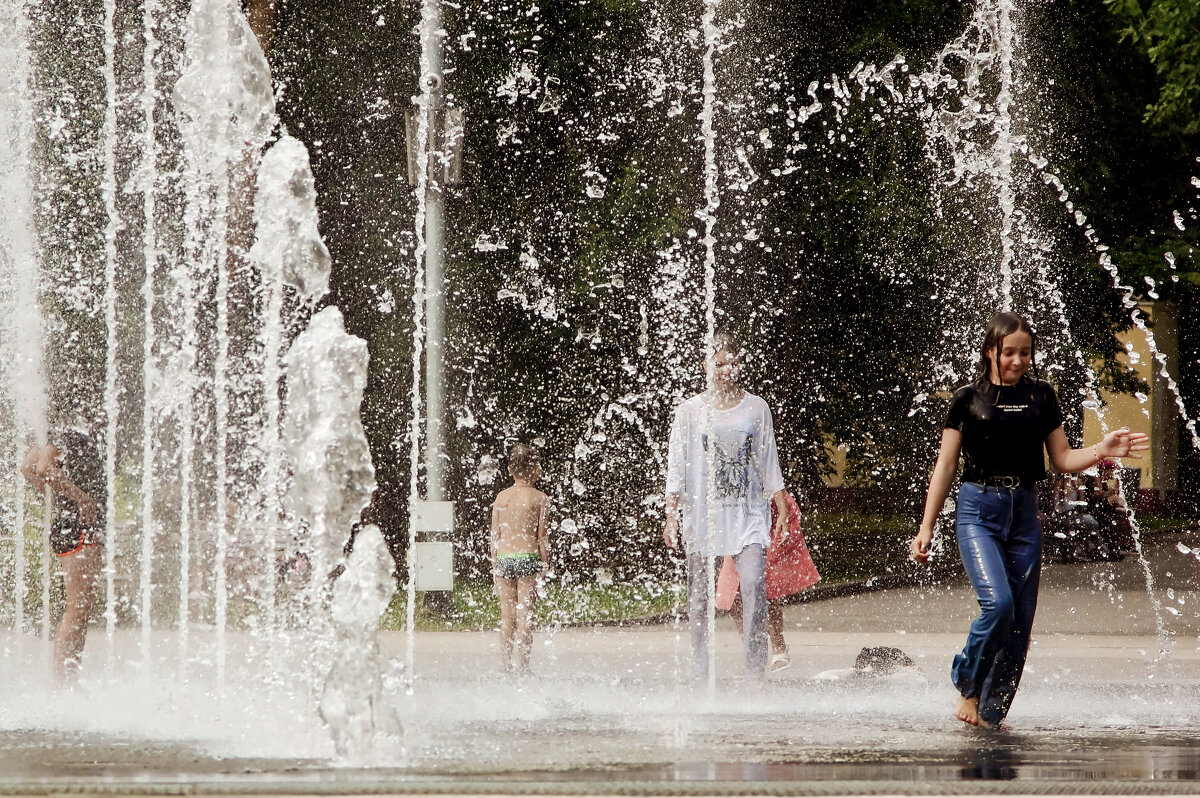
202, 445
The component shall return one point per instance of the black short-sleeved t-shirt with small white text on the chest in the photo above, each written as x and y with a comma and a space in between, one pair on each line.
1005, 429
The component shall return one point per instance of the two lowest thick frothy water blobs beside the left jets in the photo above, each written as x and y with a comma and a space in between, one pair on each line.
332, 482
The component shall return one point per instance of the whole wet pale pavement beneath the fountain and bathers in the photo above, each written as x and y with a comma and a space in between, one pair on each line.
1109, 706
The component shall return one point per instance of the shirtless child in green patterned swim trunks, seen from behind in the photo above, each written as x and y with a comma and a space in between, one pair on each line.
520, 554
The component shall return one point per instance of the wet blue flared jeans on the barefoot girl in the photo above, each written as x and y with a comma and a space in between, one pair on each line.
1000, 539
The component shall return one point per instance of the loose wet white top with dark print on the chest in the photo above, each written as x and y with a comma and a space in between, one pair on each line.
747, 473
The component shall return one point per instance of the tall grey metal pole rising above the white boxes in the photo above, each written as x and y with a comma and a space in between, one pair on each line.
435, 257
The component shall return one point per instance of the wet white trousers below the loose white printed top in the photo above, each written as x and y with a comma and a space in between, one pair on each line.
752, 565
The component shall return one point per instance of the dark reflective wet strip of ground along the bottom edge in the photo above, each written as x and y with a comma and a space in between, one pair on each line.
718, 757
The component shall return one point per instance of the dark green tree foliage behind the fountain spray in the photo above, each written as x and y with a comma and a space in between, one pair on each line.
574, 259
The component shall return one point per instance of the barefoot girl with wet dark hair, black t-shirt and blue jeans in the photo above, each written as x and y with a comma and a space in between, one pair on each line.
1000, 424
